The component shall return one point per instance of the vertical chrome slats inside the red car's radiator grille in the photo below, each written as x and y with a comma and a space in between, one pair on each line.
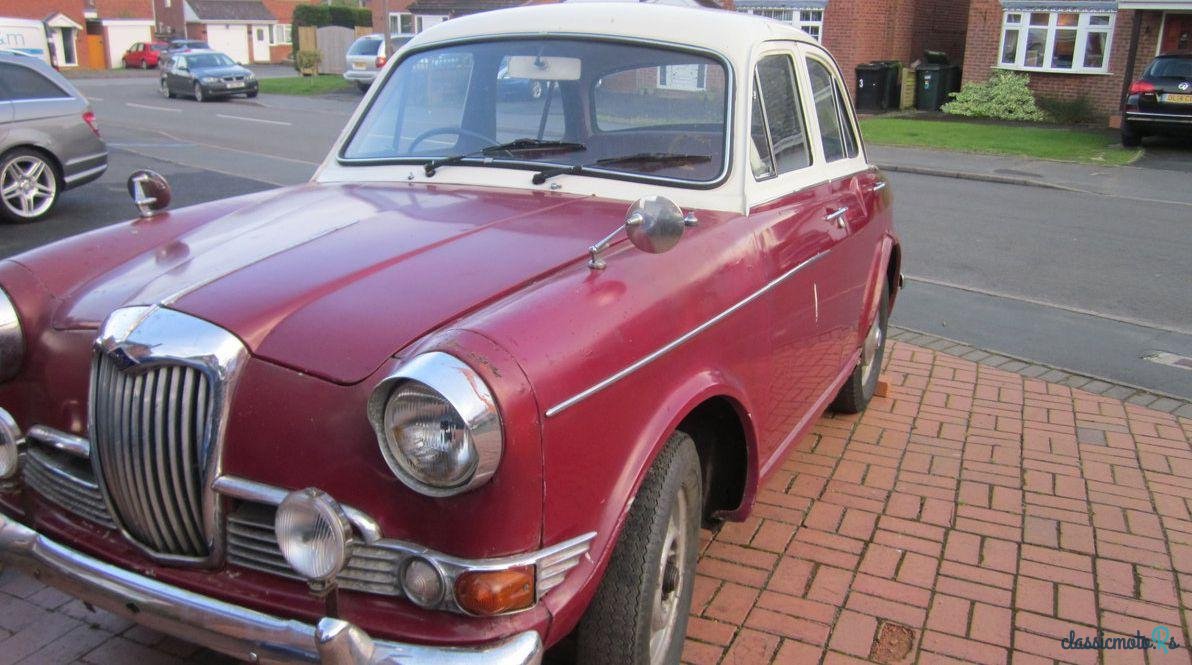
151, 428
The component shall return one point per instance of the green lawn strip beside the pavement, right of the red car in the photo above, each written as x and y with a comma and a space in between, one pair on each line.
1044, 142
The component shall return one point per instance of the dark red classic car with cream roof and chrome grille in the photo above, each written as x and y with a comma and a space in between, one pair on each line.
476, 387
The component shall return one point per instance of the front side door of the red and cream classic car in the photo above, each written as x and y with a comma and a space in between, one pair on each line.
789, 195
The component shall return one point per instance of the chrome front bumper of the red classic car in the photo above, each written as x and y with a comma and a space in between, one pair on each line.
243, 633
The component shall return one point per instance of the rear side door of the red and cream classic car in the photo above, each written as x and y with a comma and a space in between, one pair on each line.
848, 202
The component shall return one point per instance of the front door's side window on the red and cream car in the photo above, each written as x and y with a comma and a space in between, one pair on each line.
778, 129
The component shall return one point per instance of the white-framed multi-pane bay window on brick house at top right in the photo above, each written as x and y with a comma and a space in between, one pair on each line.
1021, 21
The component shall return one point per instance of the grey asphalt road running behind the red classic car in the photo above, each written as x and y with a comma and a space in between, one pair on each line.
1091, 285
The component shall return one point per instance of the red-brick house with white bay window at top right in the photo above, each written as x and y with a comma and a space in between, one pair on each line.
1092, 48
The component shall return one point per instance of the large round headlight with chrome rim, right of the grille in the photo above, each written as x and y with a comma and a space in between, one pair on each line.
438, 426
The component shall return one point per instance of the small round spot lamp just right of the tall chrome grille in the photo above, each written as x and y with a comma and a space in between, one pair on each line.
314, 535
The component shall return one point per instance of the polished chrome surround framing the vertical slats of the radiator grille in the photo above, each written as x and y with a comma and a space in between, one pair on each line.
142, 338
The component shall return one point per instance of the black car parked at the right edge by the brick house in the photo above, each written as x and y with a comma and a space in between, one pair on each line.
1160, 102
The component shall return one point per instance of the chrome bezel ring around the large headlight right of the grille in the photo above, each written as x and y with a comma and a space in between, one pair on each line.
468, 394
